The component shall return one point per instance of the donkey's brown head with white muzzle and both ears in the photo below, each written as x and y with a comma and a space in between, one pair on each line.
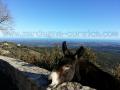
65, 69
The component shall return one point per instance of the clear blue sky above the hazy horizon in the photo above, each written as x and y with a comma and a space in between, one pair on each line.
66, 16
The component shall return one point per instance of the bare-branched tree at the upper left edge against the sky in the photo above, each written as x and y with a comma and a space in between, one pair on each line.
5, 18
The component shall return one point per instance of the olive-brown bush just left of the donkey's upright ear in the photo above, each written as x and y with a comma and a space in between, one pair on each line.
49, 57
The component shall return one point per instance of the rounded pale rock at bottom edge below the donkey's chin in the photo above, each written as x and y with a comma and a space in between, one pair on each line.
71, 86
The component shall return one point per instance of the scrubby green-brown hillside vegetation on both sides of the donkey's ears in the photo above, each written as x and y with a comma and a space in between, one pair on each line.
48, 57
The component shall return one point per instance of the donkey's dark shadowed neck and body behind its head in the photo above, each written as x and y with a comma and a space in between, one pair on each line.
95, 77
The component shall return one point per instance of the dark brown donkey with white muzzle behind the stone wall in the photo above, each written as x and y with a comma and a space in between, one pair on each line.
72, 67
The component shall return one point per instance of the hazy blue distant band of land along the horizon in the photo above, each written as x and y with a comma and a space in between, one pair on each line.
57, 42
